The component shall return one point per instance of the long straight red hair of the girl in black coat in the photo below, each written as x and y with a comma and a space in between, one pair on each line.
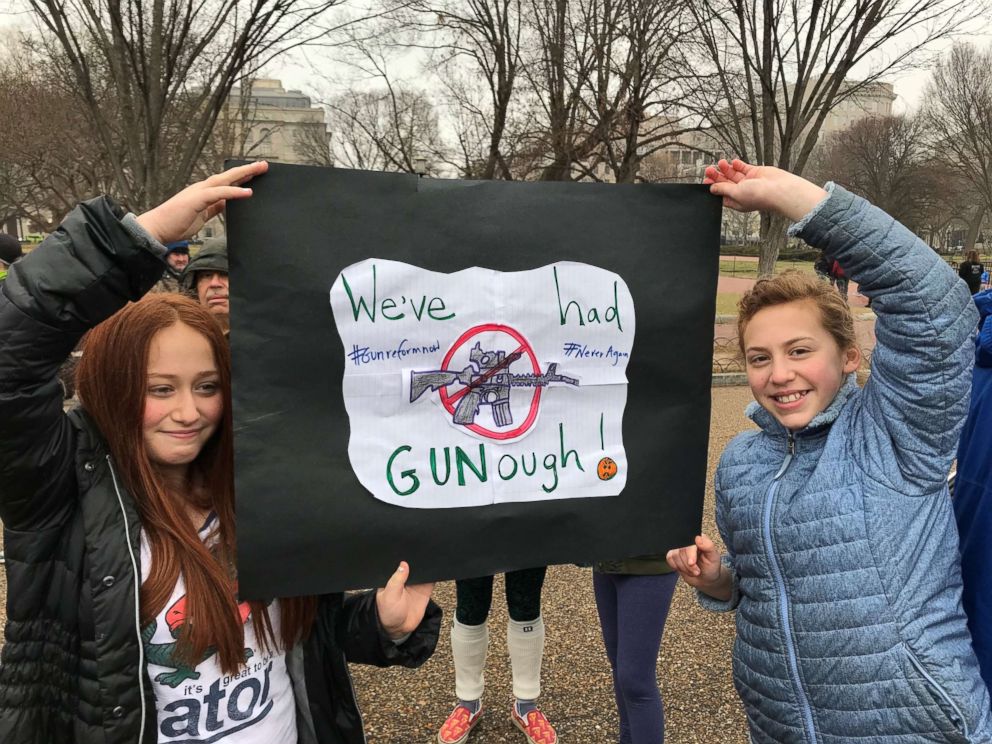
112, 382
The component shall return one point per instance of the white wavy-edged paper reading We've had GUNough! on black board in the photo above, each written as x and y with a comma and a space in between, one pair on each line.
480, 387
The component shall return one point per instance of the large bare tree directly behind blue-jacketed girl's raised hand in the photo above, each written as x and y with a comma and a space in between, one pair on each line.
778, 67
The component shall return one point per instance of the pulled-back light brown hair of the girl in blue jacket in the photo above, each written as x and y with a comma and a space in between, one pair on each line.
796, 286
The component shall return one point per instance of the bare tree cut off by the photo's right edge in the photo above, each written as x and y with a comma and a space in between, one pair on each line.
958, 107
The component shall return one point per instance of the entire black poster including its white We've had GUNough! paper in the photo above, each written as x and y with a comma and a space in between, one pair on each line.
473, 377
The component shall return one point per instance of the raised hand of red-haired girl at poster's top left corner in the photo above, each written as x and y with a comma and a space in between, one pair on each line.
185, 213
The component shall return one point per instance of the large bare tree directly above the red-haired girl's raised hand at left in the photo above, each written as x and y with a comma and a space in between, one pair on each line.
170, 65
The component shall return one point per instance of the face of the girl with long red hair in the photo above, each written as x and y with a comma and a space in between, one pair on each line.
183, 400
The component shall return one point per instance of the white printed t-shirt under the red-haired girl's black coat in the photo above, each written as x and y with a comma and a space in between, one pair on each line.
203, 704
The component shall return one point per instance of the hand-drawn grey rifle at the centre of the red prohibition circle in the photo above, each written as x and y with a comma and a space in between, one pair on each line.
487, 381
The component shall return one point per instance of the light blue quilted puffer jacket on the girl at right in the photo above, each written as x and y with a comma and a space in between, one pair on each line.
842, 538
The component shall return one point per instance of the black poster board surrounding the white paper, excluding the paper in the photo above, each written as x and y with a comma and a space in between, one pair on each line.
305, 522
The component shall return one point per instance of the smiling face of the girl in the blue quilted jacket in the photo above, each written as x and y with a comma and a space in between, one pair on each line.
794, 365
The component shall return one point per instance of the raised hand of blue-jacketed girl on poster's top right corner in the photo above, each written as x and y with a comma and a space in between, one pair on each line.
747, 188
